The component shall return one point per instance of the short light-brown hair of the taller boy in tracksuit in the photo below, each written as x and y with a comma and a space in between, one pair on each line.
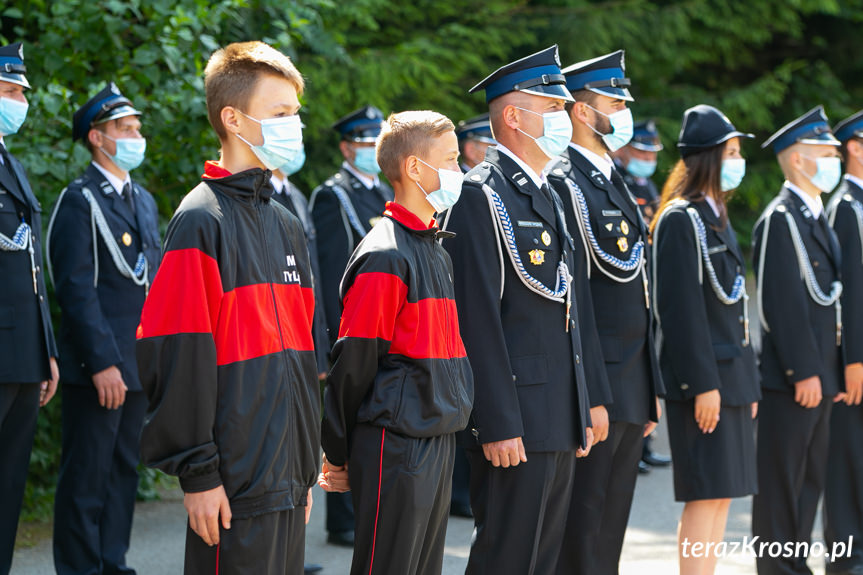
232, 75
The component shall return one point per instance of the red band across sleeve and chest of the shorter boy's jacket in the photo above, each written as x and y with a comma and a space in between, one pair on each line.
376, 307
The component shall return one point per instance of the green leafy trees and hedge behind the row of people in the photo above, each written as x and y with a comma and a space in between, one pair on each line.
763, 62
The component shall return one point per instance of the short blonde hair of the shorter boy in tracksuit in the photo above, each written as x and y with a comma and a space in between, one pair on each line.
408, 134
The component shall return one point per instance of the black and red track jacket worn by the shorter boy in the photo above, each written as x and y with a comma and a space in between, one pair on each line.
399, 362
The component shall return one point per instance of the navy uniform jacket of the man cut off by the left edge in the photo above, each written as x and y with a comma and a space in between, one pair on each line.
26, 338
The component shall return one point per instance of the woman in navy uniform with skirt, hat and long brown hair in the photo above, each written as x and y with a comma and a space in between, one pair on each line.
707, 361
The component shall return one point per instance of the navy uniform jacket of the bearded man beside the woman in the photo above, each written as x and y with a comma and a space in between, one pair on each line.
623, 320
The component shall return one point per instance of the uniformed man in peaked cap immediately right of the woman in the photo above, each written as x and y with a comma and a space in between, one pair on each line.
797, 264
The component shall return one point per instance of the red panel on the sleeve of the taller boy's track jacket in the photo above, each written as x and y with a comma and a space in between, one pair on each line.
184, 297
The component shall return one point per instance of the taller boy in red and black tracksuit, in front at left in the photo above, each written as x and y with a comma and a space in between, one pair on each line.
225, 346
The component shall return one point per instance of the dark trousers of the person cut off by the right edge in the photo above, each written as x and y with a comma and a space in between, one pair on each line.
843, 492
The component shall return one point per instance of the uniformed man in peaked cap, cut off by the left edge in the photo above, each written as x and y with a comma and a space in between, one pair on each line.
28, 366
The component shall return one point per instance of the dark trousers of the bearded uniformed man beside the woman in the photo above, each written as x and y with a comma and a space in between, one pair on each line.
601, 499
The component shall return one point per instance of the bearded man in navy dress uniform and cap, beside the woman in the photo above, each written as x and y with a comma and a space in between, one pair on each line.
624, 407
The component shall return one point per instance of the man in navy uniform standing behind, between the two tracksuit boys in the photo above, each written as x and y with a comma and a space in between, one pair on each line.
344, 208
